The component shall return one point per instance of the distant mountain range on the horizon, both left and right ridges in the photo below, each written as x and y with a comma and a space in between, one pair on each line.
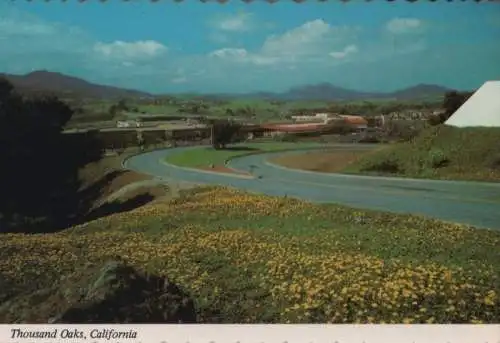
63, 85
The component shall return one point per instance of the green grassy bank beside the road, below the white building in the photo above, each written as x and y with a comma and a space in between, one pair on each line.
441, 152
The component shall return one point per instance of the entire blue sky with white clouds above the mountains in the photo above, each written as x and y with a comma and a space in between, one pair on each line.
190, 46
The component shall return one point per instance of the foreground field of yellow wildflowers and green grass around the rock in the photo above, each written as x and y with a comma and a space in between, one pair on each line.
251, 258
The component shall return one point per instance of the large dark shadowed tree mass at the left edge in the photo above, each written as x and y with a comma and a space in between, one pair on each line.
39, 183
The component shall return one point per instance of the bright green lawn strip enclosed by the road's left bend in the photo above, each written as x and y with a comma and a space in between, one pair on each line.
205, 156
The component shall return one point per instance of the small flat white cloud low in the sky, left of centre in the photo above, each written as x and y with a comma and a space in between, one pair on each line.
130, 50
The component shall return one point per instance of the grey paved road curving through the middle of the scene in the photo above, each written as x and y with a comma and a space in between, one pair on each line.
473, 203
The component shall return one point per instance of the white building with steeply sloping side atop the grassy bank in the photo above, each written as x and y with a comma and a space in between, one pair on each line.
482, 108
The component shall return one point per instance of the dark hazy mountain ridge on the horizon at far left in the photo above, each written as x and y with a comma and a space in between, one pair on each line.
64, 85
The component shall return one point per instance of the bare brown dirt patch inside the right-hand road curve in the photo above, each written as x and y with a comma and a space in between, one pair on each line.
324, 161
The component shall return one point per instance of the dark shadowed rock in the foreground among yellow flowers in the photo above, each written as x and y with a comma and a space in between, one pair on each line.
120, 294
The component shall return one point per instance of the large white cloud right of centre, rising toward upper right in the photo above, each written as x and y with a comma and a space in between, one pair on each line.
311, 40
